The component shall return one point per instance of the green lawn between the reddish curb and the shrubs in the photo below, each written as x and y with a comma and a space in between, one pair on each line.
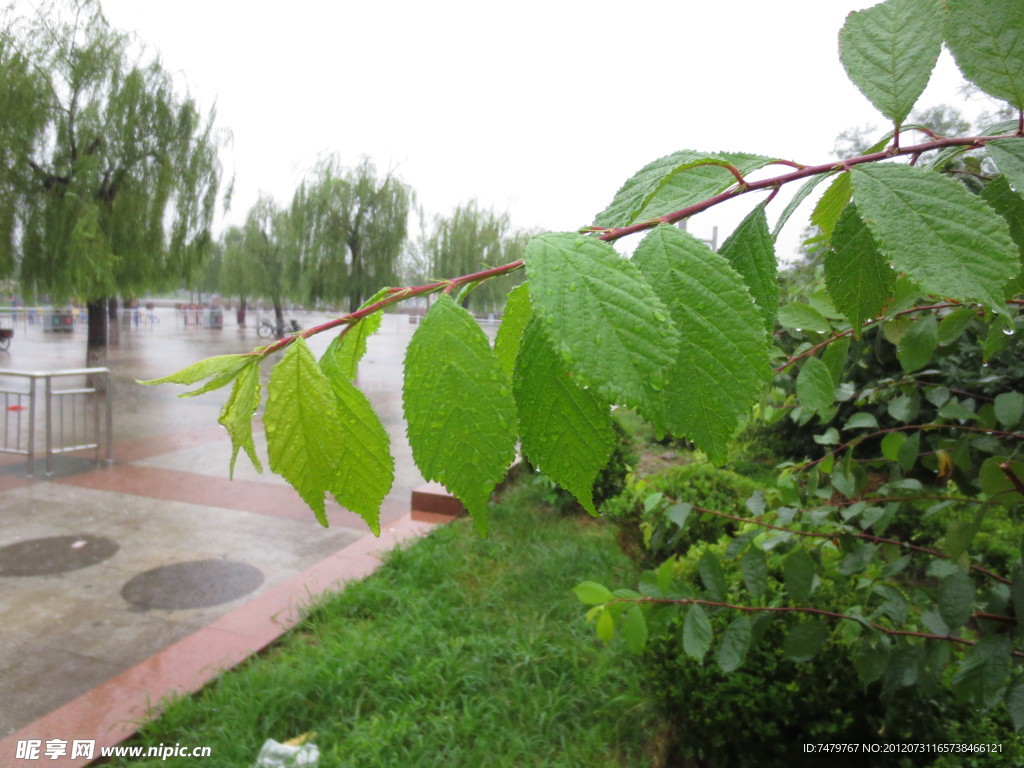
459, 652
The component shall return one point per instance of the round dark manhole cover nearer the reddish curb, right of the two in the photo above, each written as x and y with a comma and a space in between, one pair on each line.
197, 584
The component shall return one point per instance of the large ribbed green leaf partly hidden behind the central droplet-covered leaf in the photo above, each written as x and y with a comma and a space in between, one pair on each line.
722, 364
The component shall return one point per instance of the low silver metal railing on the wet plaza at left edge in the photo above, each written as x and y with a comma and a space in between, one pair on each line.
77, 418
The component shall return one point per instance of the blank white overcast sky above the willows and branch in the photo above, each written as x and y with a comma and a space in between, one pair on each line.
541, 109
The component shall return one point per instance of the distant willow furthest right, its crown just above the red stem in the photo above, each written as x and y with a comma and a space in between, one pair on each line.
471, 240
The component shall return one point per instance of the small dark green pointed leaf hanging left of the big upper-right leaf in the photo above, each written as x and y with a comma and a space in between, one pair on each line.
857, 275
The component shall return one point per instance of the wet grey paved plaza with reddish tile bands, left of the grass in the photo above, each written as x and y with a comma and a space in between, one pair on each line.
122, 584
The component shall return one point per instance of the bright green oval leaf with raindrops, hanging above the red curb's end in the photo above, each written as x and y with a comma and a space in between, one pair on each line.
459, 407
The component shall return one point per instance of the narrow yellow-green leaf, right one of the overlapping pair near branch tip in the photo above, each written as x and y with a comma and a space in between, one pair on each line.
365, 467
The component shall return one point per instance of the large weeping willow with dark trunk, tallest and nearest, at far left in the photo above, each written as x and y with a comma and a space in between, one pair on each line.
110, 175
